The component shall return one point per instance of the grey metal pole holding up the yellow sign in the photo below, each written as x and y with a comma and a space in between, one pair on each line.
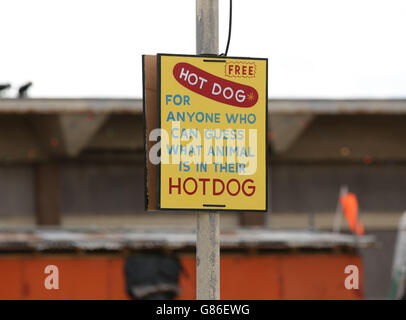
208, 223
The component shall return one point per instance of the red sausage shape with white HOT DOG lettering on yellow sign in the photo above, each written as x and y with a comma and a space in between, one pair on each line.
214, 87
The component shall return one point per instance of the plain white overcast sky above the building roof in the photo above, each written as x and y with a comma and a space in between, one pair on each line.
93, 48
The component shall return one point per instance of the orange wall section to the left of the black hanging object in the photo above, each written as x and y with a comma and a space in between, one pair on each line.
79, 278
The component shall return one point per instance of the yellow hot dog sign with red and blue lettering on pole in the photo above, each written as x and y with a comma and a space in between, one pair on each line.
213, 120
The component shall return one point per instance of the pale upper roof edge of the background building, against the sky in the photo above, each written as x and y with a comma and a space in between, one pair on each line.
276, 106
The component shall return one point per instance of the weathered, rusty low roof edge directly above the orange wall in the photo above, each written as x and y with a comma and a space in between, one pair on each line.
43, 239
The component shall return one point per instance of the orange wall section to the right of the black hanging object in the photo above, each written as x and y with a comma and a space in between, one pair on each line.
315, 276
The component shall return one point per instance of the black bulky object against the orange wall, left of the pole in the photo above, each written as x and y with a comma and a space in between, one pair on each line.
152, 276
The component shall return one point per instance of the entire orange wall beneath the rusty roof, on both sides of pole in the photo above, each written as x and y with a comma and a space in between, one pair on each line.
312, 276
